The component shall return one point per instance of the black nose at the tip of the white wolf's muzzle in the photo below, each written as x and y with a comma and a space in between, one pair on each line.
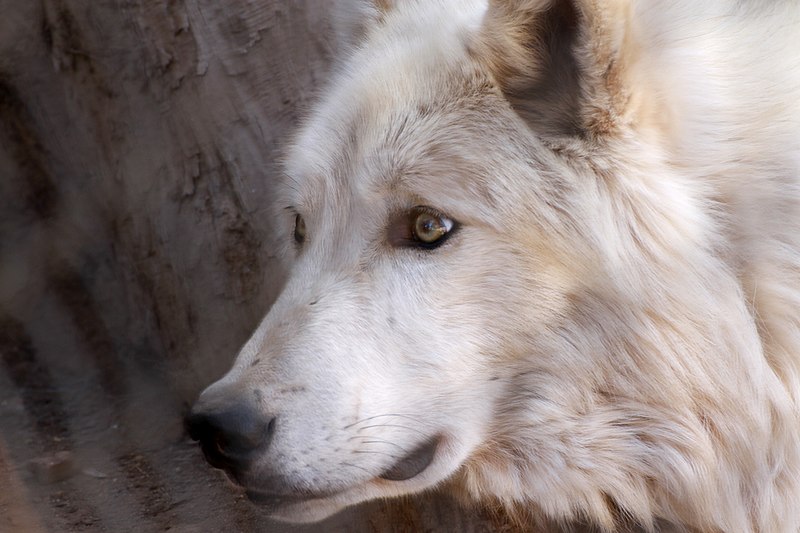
229, 437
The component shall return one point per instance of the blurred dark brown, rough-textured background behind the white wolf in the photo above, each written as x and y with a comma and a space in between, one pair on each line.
139, 145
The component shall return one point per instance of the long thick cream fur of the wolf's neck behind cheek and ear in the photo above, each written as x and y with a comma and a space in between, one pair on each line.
731, 297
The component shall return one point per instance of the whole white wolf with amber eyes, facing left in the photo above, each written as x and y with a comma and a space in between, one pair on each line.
546, 252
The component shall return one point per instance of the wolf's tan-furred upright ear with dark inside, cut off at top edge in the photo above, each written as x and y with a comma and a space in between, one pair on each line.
561, 63
